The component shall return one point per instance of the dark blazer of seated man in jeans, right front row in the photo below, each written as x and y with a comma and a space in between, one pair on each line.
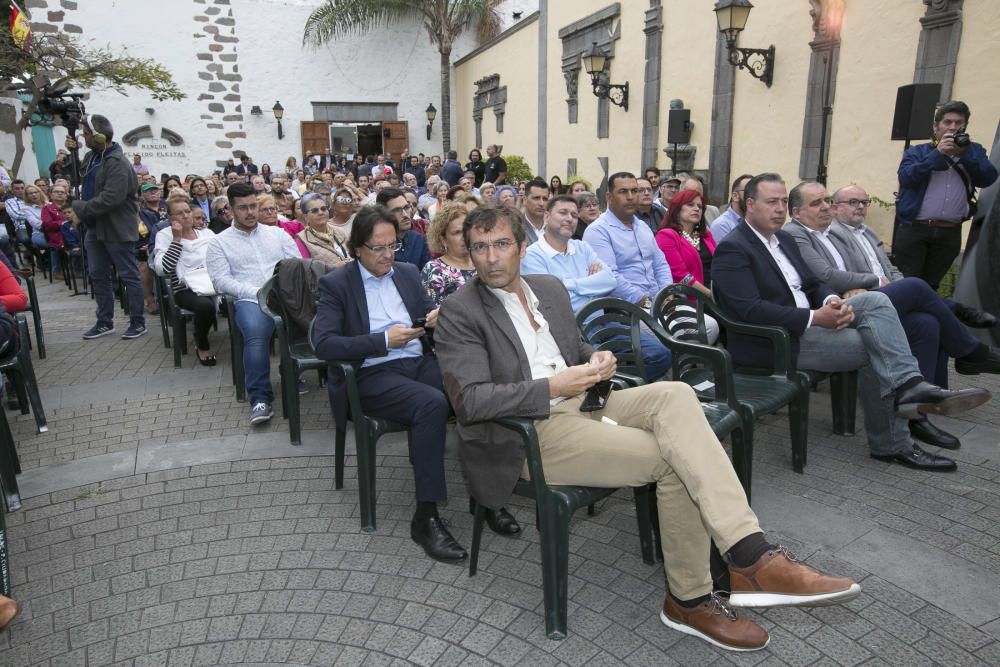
748, 283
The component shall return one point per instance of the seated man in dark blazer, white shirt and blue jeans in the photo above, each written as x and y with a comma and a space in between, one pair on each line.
760, 276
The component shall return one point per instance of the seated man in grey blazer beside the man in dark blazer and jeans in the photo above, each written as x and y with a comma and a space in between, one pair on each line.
932, 330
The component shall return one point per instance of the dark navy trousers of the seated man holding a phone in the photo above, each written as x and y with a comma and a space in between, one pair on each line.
409, 391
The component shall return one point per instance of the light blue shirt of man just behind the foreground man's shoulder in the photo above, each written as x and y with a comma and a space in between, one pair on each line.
572, 268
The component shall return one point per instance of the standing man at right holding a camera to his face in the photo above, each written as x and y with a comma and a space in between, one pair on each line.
937, 183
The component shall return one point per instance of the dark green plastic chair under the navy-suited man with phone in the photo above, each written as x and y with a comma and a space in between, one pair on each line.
367, 431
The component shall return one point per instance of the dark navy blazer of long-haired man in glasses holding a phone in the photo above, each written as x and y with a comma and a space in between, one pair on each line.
342, 329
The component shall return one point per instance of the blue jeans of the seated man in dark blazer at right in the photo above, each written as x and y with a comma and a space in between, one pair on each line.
877, 346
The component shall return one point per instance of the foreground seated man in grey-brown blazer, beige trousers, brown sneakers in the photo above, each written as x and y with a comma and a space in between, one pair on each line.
509, 346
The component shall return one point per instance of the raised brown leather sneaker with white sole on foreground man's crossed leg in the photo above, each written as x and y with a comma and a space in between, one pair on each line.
777, 579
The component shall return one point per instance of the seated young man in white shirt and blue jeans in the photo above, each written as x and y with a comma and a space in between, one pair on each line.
240, 260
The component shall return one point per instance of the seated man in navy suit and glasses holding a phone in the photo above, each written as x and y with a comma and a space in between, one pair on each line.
374, 313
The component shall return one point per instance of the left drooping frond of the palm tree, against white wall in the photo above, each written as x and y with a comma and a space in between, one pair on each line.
336, 18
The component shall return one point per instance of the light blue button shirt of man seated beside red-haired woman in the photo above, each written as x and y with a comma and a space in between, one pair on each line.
638, 264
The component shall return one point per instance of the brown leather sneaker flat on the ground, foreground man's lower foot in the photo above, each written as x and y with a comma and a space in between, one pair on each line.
716, 623
